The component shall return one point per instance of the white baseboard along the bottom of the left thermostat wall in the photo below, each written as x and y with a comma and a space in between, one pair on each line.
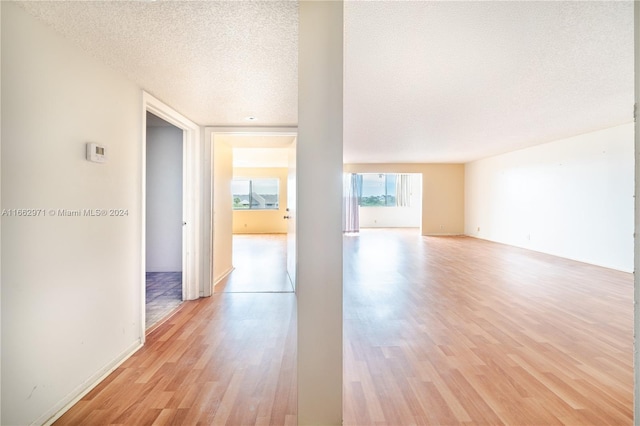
87, 386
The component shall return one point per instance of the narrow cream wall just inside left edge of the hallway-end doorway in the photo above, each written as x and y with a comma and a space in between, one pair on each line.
222, 210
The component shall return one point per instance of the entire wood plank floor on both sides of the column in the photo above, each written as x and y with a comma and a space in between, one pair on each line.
438, 331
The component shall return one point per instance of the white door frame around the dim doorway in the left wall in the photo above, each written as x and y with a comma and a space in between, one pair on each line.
191, 199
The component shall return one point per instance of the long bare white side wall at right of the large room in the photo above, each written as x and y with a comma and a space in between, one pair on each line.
571, 198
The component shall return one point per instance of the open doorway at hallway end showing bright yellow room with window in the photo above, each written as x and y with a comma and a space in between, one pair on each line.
252, 221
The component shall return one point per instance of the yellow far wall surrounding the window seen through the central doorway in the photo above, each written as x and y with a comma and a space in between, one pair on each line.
262, 221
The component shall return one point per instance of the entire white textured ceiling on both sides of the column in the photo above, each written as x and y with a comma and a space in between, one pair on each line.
424, 81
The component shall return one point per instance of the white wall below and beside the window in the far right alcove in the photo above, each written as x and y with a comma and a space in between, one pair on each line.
396, 217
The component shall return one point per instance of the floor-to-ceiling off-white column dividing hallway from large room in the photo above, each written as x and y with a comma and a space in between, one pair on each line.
319, 212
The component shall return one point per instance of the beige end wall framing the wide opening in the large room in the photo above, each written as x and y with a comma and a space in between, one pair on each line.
442, 193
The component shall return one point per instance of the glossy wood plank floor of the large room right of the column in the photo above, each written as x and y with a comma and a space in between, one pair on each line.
463, 331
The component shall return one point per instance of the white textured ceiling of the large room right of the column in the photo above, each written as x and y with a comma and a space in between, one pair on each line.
456, 81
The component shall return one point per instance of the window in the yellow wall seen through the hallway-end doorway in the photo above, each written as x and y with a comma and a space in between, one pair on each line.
255, 194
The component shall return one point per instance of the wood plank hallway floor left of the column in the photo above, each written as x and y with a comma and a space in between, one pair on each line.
228, 359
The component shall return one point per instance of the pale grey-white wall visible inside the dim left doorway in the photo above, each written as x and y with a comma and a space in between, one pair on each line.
164, 199
